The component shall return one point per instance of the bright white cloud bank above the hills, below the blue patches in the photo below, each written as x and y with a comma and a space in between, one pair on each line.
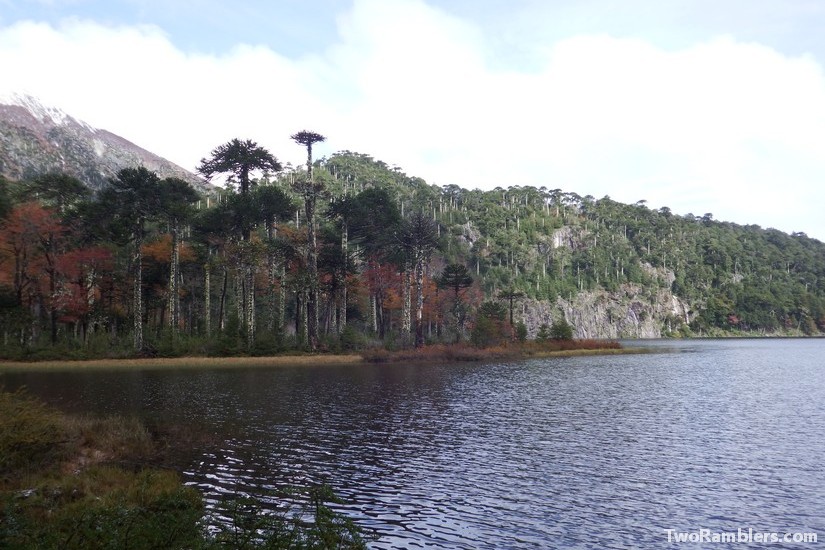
731, 128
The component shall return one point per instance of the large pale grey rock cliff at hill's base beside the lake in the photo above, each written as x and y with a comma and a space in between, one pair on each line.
631, 312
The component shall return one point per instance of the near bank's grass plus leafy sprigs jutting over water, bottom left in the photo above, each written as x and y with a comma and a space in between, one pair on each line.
68, 482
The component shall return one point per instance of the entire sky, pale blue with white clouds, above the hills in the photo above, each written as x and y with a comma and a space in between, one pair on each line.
702, 106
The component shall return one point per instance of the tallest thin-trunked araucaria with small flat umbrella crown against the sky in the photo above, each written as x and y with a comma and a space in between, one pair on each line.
311, 190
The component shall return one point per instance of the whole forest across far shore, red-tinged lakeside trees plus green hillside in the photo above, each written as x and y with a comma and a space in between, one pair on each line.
347, 252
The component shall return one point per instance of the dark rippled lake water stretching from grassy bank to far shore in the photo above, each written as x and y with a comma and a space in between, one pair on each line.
591, 452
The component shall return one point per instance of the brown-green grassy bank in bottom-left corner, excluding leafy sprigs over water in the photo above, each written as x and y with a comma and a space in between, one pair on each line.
59, 487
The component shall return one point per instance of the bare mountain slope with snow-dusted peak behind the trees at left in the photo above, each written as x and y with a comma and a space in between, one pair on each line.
36, 139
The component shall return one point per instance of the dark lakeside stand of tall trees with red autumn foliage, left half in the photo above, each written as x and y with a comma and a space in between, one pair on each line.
276, 260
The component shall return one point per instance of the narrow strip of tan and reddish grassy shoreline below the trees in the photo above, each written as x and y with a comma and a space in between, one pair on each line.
281, 360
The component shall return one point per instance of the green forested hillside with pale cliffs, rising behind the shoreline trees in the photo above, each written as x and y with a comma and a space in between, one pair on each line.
615, 270
